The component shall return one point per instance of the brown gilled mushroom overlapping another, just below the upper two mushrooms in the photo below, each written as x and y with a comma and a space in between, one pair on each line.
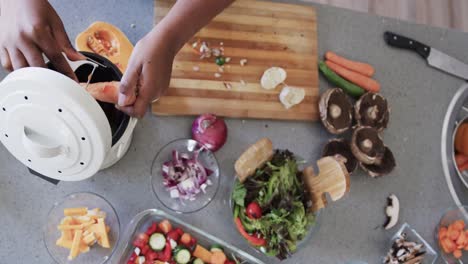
366, 145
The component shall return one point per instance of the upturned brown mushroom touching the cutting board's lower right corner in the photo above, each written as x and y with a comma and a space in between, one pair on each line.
336, 111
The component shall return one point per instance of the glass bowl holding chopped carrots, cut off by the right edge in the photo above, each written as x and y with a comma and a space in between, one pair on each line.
447, 218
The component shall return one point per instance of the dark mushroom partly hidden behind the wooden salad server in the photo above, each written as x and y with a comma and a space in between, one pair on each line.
339, 148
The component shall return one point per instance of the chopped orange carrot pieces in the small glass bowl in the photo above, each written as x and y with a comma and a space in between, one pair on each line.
453, 239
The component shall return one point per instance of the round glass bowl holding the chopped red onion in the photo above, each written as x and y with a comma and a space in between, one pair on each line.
207, 159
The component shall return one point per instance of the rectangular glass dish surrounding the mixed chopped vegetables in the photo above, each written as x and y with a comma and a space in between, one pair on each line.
143, 220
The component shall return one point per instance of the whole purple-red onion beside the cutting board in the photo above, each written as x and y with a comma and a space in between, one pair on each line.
209, 130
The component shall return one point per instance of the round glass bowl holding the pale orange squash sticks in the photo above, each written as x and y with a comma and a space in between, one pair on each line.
97, 254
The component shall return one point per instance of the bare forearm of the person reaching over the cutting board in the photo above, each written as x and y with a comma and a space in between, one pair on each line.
187, 17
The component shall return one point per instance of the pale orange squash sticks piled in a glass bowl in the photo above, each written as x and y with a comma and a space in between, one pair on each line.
81, 229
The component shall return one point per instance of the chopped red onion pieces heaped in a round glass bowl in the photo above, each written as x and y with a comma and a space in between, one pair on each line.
185, 176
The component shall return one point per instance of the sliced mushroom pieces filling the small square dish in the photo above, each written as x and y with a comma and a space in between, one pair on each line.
405, 252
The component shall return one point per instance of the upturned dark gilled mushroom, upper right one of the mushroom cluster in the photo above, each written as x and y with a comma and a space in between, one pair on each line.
372, 110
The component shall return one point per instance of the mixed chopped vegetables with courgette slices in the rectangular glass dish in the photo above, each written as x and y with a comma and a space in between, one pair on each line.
161, 243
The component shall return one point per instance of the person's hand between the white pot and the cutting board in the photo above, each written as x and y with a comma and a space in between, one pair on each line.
148, 73
